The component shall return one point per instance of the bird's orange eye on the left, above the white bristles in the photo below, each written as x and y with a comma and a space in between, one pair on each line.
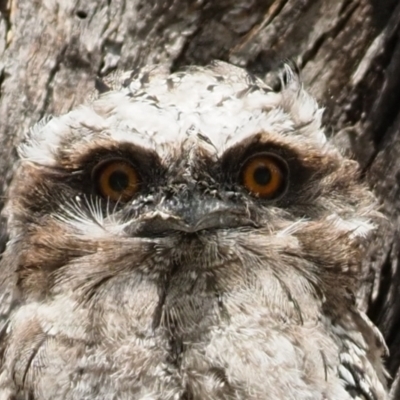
117, 180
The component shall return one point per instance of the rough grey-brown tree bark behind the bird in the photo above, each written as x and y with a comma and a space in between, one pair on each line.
348, 52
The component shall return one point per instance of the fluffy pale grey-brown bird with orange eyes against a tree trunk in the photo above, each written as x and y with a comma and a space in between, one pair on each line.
187, 235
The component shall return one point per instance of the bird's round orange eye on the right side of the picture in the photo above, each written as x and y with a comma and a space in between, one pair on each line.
265, 175
